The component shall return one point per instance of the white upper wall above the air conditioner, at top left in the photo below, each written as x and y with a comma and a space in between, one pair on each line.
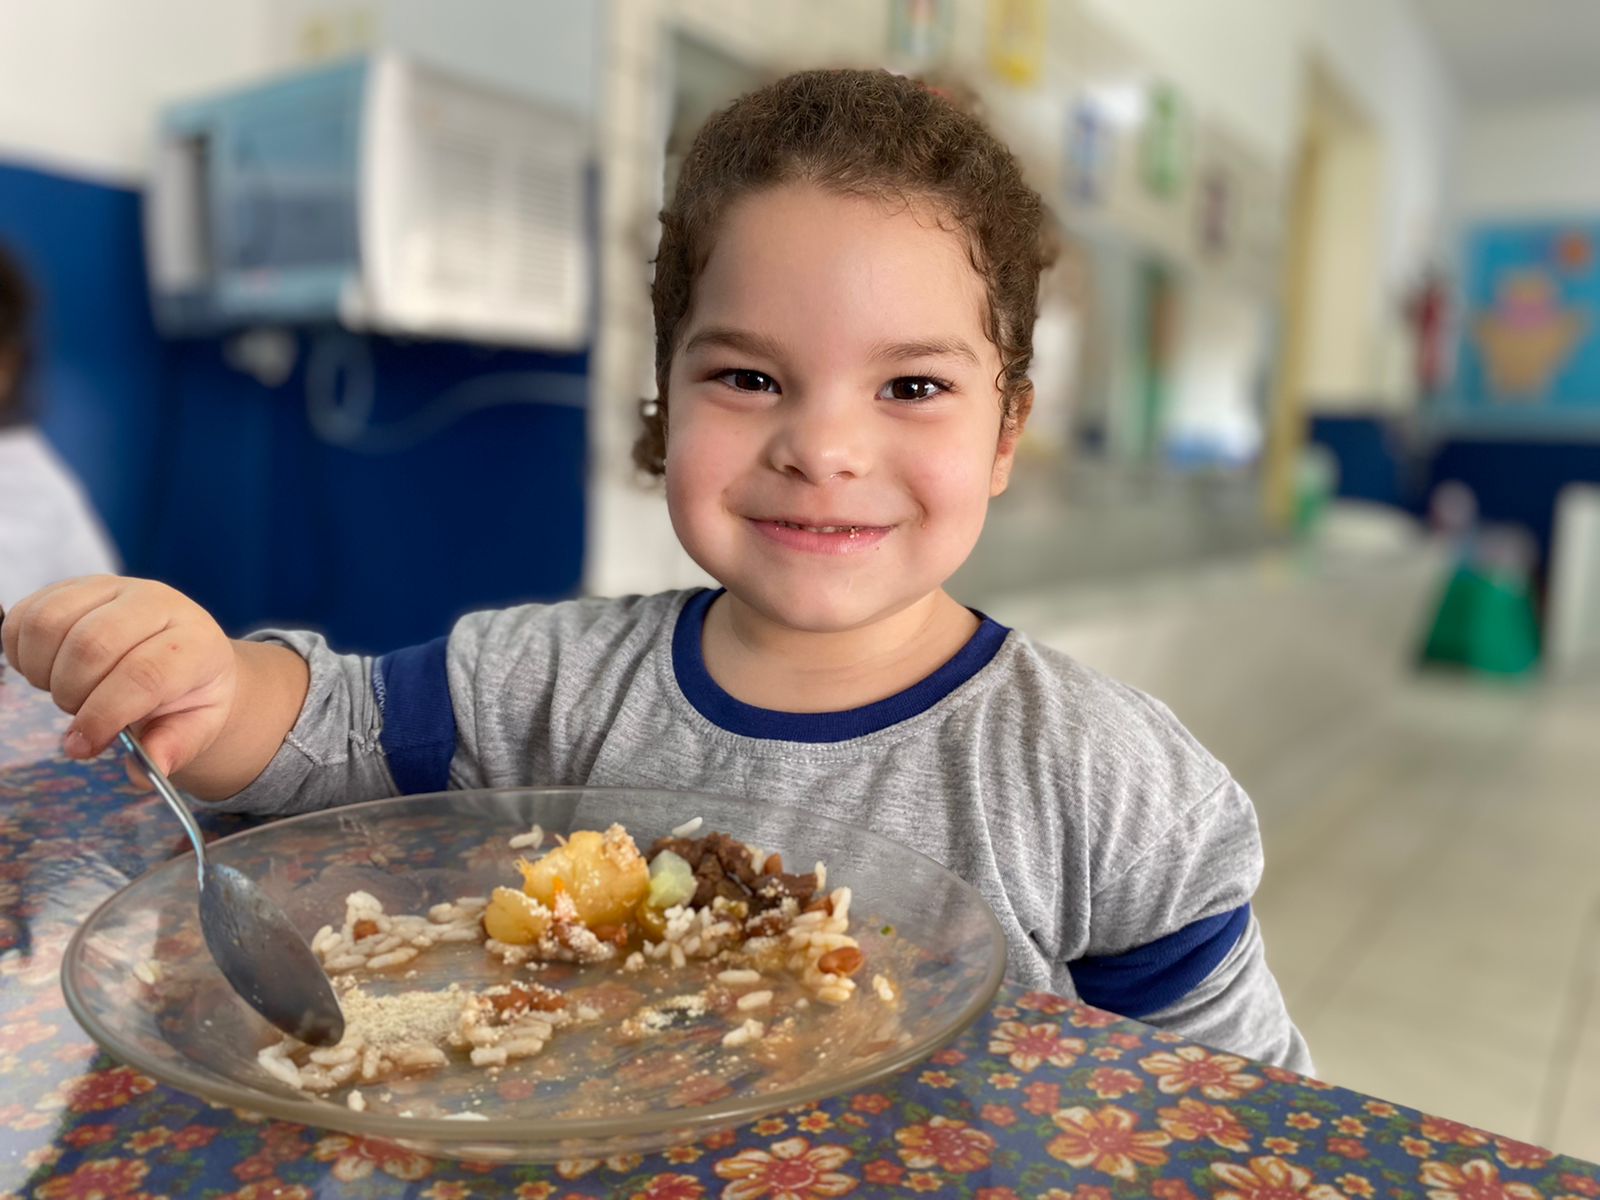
84, 79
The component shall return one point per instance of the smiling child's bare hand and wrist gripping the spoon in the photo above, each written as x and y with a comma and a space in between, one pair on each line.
137, 654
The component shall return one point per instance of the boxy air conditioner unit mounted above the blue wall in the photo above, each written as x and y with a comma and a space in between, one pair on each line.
378, 194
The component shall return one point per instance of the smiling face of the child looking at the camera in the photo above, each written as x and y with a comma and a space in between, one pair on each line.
834, 431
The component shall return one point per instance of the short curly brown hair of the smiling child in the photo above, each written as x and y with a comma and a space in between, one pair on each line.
860, 134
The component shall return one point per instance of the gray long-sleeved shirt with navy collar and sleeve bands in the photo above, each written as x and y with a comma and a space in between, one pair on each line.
1118, 854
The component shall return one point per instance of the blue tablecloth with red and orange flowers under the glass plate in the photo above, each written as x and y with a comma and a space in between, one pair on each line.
1041, 1098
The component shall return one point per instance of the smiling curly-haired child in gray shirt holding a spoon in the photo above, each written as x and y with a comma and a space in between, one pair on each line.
844, 303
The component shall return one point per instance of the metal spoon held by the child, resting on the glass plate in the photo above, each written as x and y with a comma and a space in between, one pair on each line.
260, 953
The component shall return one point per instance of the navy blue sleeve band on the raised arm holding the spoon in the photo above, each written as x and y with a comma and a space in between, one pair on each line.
412, 689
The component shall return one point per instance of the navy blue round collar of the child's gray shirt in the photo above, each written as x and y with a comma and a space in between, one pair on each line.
748, 721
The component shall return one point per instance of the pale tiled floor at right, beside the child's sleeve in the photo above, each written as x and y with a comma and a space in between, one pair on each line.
1433, 910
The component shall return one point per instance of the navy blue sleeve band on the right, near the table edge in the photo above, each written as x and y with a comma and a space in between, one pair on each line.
1158, 975
